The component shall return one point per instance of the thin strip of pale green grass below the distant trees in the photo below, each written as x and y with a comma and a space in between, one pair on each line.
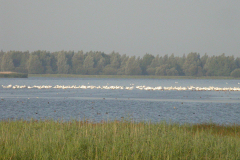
128, 76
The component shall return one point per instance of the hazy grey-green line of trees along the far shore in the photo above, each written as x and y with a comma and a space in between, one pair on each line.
99, 63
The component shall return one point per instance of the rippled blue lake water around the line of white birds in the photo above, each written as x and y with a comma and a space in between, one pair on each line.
222, 107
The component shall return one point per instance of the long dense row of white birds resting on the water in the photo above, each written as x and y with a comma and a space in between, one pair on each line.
190, 88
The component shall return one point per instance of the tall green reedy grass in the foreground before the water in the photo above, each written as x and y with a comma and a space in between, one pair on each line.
50, 139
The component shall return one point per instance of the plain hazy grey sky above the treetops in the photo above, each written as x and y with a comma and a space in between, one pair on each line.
132, 27
